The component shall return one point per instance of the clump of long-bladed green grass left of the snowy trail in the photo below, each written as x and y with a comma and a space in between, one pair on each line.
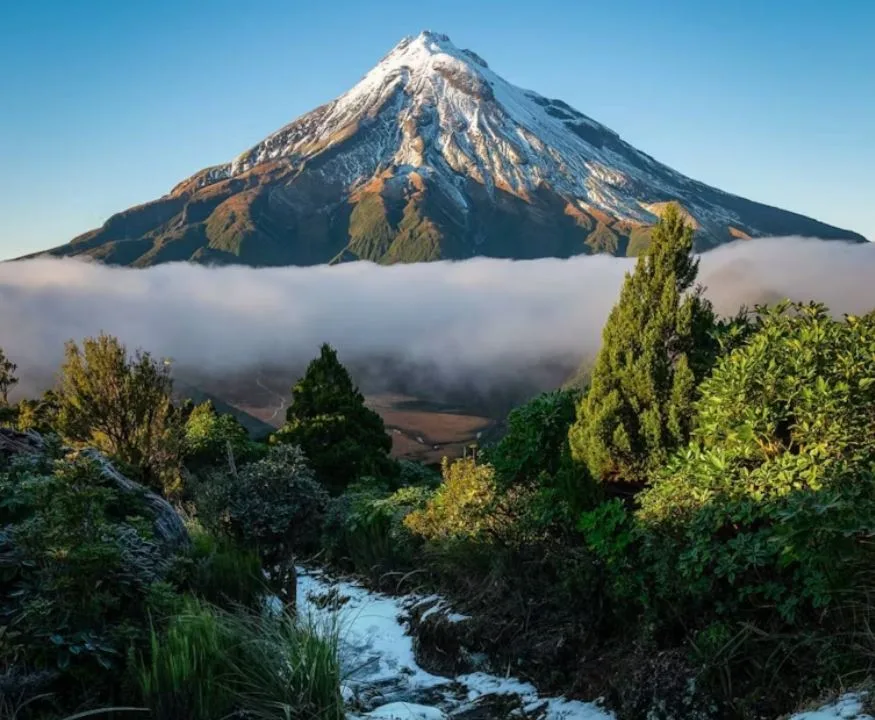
212, 664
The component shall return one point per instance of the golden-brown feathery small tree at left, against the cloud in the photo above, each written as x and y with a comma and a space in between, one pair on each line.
121, 406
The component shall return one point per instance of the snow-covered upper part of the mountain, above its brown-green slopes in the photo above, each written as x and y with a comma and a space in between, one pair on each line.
431, 107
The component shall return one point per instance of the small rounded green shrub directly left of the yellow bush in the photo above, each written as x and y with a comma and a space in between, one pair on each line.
364, 528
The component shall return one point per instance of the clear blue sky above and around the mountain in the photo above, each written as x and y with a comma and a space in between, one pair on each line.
106, 104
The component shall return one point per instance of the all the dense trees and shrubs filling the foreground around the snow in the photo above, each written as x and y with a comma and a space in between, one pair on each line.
689, 535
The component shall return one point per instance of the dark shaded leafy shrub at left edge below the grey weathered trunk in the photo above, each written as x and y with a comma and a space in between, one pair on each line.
79, 568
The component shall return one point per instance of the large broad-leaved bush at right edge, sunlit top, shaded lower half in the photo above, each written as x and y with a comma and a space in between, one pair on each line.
753, 544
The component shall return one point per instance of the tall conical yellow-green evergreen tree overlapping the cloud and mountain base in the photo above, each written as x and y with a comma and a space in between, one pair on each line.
656, 346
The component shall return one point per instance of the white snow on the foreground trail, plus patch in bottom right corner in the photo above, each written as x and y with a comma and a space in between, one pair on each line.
382, 680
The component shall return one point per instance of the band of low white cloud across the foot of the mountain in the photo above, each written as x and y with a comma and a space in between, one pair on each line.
484, 318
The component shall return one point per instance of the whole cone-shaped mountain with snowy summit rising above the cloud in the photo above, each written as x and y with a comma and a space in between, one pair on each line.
430, 156
